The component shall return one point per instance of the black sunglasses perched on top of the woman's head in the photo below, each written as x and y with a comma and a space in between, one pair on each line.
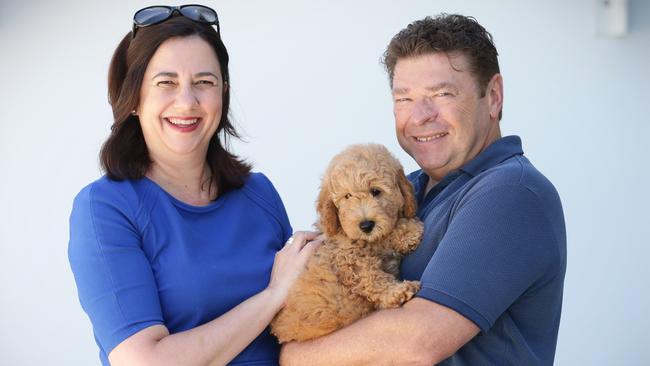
152, 15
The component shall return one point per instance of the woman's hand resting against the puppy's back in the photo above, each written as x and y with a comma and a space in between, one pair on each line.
291, 261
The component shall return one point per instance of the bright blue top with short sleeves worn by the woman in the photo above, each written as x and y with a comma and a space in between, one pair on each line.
140, 257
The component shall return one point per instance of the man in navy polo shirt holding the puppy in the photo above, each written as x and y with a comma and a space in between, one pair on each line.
493, 256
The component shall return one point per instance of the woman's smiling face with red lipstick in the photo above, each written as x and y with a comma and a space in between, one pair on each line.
181, 99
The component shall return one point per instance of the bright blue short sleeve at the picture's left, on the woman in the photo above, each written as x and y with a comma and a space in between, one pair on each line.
114, 279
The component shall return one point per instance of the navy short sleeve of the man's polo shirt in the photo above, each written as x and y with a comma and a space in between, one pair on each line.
498, 244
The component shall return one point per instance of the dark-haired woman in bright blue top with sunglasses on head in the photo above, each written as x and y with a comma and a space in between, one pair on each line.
174, 249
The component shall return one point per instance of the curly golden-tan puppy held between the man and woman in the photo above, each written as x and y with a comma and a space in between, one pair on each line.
366, 210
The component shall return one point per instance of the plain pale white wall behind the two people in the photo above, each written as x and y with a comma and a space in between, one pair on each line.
307, 82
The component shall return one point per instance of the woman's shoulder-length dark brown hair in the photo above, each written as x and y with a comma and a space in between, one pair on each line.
124, 155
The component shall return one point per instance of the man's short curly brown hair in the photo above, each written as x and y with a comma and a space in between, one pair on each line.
447, 33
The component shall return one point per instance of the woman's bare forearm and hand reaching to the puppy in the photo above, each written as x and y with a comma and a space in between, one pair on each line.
220, 340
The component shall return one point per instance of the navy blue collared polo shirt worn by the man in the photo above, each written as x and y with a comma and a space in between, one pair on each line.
494, 250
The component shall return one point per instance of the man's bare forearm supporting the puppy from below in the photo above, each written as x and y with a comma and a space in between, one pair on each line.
421, 332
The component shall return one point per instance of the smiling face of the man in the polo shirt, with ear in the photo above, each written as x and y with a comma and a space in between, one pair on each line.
440, 118
